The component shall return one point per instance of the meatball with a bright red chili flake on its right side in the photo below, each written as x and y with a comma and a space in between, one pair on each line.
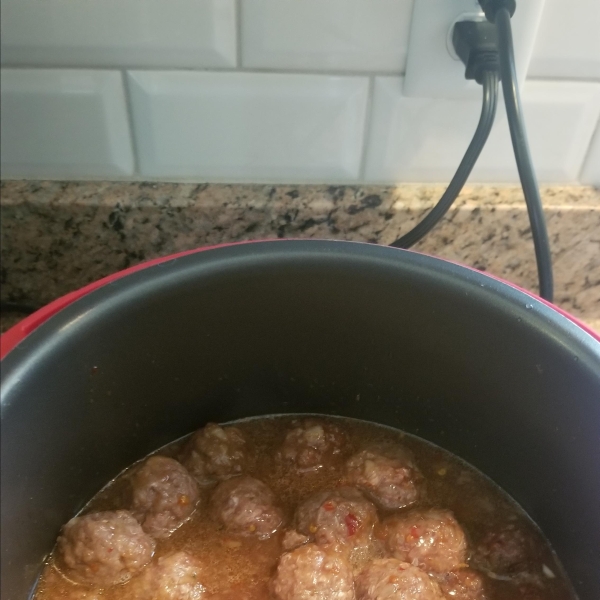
338, 516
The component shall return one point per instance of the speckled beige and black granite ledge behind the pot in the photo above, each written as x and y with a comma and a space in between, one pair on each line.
58, 236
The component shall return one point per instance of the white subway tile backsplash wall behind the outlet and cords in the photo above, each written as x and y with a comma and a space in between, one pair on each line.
295, 91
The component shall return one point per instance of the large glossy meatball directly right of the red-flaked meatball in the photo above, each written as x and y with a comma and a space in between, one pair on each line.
429, 539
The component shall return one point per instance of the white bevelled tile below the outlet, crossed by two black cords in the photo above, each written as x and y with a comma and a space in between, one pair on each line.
417, 139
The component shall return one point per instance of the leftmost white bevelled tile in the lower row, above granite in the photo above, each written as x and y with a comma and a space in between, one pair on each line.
64, 124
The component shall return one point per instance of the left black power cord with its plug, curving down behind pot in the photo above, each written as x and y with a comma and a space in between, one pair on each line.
475, 45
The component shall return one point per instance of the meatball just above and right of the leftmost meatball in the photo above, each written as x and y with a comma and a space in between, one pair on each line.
164, 495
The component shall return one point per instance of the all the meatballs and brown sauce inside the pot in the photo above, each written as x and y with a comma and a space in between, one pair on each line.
397, 519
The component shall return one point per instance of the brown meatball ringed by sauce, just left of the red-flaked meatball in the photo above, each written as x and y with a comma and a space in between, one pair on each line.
246, 506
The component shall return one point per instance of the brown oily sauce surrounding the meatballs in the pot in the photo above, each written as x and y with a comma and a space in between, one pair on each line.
240, 568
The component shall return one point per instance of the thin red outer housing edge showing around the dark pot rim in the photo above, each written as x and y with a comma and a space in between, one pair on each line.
22, 329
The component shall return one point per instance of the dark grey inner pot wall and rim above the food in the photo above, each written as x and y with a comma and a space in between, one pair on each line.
485, 370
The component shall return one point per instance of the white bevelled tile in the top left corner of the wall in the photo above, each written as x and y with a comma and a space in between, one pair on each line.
119, 33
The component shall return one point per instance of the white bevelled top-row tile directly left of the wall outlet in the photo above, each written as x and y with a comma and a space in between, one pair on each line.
326, 34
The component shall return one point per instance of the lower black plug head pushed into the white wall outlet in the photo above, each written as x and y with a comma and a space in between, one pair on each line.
476, 43
